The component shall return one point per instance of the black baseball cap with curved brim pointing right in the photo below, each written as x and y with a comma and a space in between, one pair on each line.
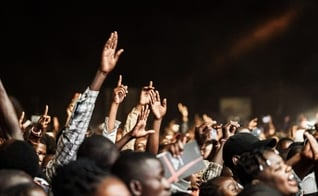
243, 142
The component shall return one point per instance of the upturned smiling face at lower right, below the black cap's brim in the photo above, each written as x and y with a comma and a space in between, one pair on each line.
278, 174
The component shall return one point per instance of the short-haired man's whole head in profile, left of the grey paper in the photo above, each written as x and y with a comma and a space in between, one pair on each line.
142, 172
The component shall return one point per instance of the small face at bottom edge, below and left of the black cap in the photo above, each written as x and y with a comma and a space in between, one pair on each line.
229, 187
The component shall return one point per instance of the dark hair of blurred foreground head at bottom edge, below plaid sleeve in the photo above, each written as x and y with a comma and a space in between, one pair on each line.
80, 177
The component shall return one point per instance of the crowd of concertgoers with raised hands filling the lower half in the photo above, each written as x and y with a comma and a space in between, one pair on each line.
121, 158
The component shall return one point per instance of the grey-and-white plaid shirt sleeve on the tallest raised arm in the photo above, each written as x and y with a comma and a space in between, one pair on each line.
74, 133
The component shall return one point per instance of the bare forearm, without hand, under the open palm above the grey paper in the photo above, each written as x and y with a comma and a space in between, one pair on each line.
153, 139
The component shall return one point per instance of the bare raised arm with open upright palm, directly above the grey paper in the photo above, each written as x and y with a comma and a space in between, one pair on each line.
159, 109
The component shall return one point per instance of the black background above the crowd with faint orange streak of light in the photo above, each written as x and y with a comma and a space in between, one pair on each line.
195, 51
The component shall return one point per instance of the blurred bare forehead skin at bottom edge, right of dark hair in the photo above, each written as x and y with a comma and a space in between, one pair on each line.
112, 186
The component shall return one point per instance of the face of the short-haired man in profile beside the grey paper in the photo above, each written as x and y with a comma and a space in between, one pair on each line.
154, 183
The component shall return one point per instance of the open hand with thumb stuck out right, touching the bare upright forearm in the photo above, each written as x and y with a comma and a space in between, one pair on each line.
140, 128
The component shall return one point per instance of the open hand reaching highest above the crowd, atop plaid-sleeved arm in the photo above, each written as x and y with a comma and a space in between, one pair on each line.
110, 56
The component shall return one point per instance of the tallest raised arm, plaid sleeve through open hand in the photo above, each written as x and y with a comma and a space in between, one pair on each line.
74, 132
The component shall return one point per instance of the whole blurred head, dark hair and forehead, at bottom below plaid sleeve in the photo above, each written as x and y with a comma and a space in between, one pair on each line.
84, 177
